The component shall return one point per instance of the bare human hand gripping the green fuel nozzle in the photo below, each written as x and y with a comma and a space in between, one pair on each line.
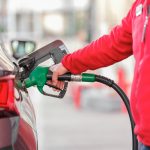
57, 70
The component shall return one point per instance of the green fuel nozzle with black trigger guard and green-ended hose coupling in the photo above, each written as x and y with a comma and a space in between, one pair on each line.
41, 75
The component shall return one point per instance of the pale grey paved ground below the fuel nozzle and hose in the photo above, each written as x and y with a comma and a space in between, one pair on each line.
62, 127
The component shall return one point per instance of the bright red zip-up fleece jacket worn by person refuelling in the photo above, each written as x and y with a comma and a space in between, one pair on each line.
124, 40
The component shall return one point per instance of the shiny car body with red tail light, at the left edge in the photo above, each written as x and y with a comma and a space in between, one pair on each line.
17, 116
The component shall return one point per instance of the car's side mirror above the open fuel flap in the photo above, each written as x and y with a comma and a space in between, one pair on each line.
22, 47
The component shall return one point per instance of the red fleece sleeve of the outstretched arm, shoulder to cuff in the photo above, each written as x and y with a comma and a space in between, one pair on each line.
105, 51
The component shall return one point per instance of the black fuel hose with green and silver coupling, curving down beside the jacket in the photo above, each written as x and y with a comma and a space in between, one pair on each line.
85, 77
